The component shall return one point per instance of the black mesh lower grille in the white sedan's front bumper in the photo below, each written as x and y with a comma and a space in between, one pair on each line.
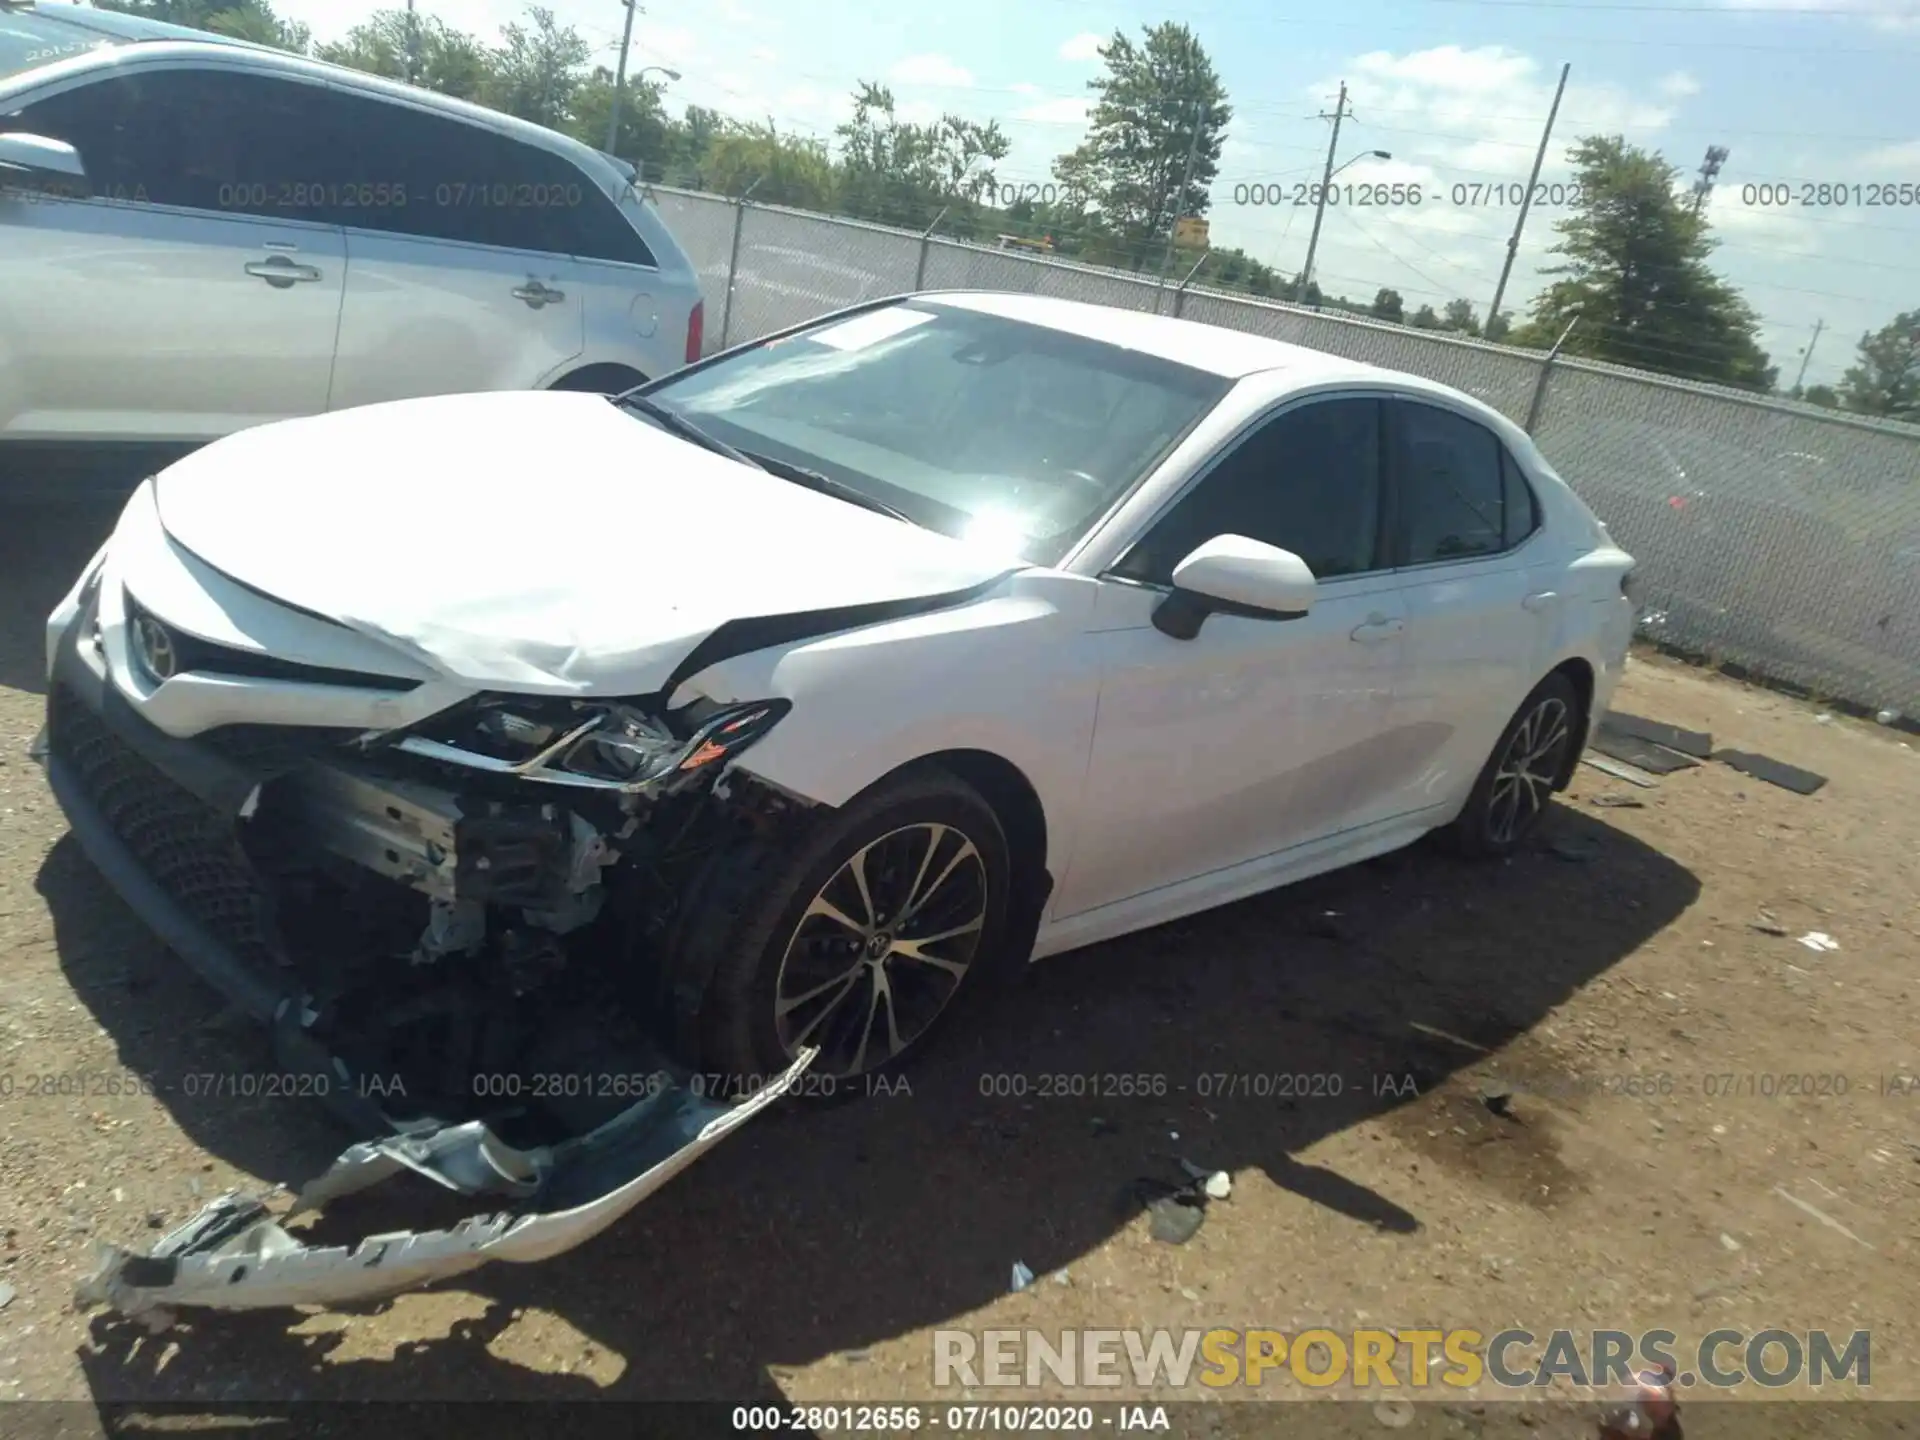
185, 846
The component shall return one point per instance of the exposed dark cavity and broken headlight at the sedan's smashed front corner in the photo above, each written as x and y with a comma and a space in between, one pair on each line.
477, 909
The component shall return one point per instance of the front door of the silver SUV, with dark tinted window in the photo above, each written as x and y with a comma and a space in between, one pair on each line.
187, 295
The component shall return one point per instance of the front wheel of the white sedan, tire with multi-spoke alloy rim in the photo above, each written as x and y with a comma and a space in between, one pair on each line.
769, 930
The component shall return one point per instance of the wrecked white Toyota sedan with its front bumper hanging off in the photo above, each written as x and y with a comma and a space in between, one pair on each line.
590, 773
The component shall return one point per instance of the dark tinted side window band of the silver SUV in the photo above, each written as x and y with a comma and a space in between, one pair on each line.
283, 149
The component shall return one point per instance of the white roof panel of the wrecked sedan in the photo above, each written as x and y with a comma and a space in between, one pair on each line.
1212, 348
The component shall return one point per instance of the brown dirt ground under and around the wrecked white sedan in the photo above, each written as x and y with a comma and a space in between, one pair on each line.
813, 1255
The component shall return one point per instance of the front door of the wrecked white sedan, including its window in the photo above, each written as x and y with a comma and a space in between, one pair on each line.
1255, 736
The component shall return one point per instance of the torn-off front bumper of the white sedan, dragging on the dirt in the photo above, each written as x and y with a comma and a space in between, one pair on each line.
160, 819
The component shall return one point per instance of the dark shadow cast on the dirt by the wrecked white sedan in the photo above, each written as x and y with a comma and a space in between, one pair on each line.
825, 1232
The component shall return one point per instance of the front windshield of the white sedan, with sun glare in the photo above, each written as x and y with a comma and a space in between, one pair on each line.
972, 425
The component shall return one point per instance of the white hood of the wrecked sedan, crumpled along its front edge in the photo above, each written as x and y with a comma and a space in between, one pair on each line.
537, 540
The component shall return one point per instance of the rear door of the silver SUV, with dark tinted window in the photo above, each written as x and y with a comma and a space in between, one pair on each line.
458, 272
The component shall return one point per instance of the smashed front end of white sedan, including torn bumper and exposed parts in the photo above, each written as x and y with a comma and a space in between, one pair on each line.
458, 936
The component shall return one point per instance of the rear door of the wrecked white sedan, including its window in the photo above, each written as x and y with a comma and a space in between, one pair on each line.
1481, 598
